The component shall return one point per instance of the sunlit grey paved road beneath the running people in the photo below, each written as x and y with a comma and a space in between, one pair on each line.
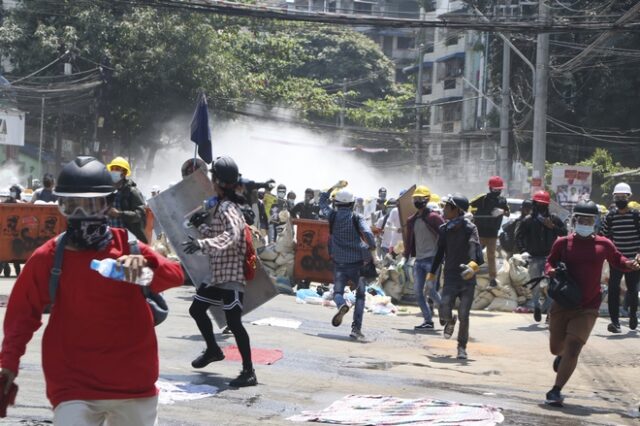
509, 367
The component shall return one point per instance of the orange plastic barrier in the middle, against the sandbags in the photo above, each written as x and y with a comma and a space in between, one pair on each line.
312, 260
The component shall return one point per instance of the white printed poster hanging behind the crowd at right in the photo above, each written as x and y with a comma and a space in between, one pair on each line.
571, 184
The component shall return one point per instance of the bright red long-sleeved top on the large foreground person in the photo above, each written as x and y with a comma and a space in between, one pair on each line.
100, 341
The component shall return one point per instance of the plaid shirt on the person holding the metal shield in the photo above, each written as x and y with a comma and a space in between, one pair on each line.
224, 243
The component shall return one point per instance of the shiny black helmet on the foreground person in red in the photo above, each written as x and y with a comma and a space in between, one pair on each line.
84, 177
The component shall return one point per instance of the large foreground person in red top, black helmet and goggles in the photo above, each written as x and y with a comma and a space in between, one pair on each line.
99, 349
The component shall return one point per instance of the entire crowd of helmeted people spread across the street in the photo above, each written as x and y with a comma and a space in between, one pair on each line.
445, 237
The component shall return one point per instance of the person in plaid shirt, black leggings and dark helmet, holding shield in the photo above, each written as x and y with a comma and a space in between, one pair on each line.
223, 241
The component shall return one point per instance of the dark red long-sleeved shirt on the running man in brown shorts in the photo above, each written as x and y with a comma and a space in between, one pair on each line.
584, 258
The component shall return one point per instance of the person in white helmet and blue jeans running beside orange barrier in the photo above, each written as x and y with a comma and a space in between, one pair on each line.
349, 253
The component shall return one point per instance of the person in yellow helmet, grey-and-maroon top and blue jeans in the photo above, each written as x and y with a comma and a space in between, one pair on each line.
422, 244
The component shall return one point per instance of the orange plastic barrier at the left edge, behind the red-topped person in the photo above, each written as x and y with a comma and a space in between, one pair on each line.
25, 227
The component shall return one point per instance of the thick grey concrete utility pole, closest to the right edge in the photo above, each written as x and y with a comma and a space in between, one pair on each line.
540, 106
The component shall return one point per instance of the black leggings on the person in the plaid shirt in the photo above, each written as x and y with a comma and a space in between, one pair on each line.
198, 312
